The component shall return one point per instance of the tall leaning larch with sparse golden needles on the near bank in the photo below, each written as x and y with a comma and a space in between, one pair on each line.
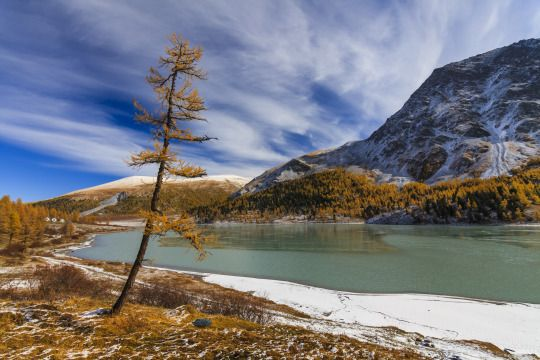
179, 103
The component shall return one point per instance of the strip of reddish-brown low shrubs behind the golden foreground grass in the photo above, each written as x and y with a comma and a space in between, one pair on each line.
51, 283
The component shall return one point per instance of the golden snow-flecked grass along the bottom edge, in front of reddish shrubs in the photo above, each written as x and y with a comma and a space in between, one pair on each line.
31, 330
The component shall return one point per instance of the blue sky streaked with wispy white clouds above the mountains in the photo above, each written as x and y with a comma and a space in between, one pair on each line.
284, 77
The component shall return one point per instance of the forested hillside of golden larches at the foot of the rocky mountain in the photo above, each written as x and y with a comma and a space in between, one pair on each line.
338, 195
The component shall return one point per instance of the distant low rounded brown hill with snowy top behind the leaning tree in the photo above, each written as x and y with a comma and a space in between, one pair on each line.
177, 194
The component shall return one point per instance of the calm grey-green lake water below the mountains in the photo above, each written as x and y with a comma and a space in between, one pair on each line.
485, 262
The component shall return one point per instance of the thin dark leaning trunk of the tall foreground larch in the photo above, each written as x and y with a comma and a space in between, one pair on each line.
117, 307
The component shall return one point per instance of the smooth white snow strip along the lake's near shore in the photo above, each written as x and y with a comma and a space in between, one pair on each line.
508, 325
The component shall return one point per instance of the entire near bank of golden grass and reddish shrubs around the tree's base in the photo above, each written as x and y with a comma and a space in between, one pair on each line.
46, 317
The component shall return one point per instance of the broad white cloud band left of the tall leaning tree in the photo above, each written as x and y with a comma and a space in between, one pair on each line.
56, 128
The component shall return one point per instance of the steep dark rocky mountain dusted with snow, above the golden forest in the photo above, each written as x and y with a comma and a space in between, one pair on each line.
479, 117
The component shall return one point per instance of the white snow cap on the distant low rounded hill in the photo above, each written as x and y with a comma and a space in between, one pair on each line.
135, 181
